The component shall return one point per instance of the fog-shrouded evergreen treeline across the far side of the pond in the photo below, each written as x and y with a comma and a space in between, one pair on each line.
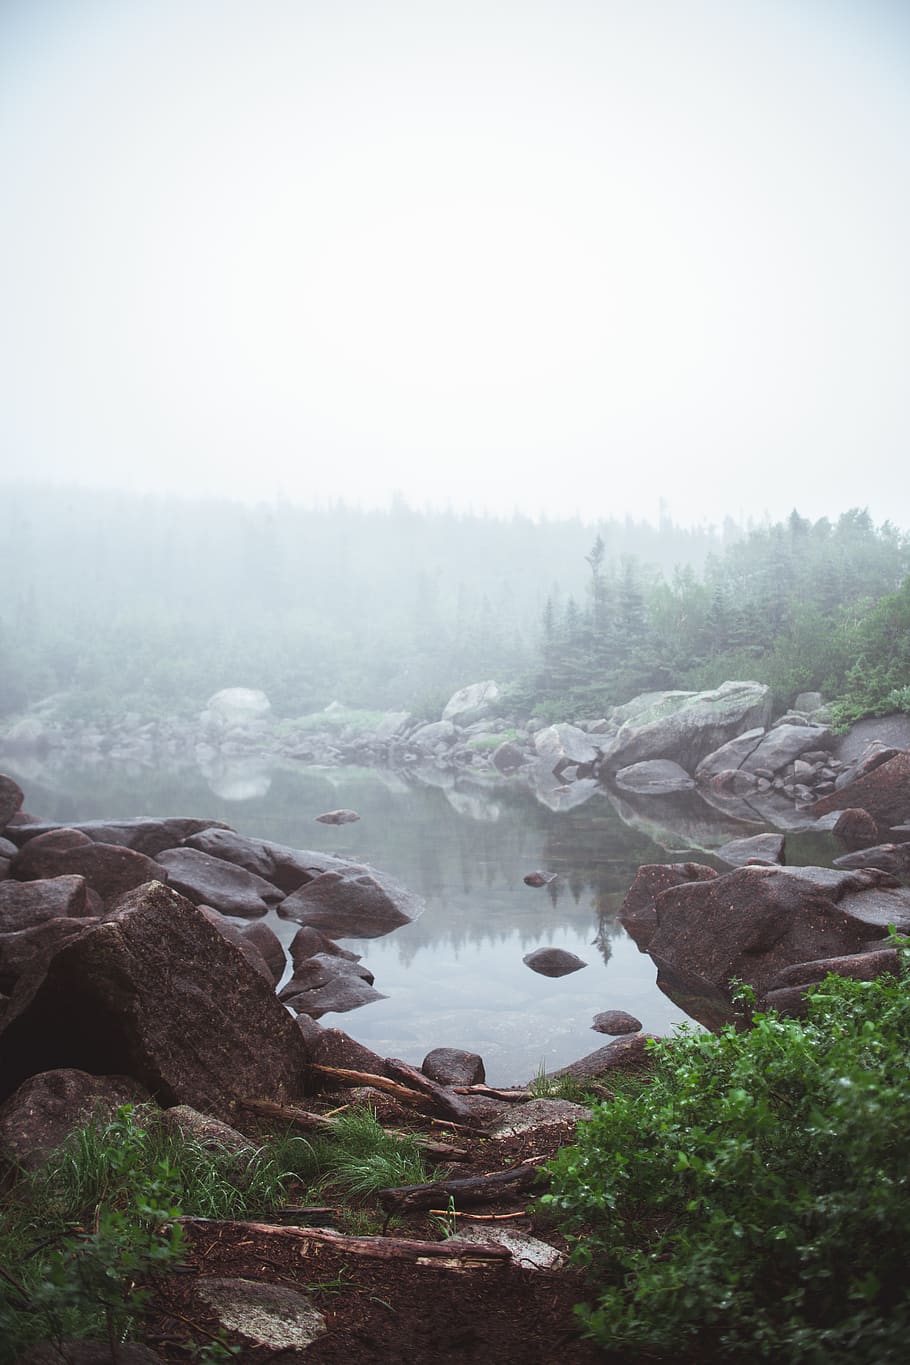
149, 605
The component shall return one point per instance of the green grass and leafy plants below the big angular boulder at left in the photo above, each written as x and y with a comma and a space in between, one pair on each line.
84, 1240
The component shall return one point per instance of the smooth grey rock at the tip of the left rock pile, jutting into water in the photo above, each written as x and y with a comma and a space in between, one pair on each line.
358, 903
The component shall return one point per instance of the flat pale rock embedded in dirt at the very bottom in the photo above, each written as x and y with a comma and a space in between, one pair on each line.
264, 1315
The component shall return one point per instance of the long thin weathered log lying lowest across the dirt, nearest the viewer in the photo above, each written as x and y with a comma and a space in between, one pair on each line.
452, 1255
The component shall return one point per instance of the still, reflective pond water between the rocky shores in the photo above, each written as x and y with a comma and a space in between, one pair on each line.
455, 977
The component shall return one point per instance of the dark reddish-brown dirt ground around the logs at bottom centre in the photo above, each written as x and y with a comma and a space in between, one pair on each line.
380, 1311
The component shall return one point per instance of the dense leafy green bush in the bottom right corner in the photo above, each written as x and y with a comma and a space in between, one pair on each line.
754, 1201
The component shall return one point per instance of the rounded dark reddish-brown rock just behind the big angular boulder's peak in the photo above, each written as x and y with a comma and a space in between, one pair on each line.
108, 869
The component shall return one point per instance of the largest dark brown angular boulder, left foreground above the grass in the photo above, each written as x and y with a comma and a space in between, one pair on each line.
156, 993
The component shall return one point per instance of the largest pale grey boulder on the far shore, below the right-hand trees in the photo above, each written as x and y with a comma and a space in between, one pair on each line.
686, 727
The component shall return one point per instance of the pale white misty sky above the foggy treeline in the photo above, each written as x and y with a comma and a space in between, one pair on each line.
575, 256
